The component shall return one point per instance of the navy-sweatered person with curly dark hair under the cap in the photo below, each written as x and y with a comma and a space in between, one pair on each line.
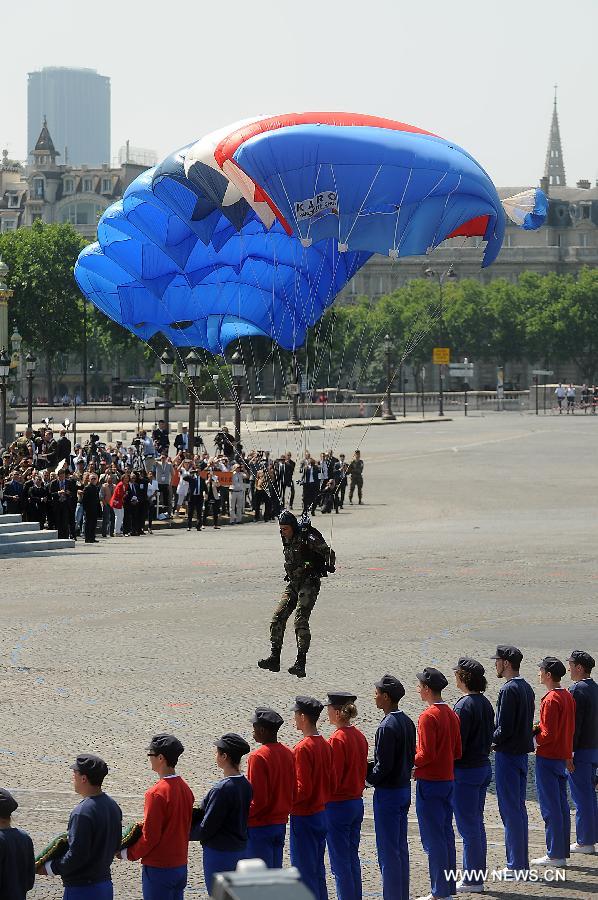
473, 772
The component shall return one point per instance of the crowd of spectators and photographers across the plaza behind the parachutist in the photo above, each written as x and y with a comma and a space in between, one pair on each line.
121, 490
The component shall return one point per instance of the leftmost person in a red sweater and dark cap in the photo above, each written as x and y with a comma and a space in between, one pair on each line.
163, 847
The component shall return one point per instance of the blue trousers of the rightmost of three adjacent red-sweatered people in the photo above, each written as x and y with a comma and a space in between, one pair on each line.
343, 832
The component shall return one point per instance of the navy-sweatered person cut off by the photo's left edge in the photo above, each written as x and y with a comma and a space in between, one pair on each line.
17, 859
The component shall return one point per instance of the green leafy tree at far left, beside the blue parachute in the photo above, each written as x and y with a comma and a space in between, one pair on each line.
46, 306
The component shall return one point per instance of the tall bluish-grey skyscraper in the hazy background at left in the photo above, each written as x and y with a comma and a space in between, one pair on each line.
76, 104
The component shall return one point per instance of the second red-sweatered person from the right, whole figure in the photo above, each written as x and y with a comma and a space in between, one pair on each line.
438, 746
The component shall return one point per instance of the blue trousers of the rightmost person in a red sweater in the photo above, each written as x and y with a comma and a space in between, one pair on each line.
551, 785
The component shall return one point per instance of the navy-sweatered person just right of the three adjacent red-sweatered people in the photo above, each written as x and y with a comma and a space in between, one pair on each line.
390, 775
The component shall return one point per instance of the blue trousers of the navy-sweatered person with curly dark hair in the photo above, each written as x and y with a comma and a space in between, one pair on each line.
469, 799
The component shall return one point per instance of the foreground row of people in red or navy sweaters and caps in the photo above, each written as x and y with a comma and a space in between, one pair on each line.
319, 785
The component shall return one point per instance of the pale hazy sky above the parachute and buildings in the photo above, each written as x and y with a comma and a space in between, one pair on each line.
479, 74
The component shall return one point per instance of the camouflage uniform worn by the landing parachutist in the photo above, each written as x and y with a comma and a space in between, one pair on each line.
301, 566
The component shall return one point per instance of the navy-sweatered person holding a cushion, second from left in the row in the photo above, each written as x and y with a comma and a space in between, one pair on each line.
94, 834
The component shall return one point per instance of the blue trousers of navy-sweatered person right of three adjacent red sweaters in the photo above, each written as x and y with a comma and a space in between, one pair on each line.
391, 806
